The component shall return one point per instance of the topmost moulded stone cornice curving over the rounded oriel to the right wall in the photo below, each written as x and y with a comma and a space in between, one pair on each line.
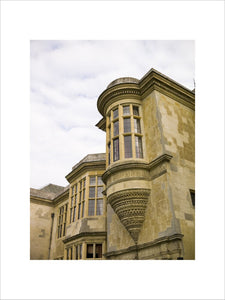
153, 80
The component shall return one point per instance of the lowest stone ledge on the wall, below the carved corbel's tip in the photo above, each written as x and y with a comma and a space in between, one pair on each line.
153, 243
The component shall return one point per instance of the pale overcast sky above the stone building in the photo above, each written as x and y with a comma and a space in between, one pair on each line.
66, 79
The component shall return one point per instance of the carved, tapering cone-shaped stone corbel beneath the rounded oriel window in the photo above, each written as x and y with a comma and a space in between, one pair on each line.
130, 206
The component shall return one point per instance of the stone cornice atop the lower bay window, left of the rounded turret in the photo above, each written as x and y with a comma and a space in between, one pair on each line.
84, 167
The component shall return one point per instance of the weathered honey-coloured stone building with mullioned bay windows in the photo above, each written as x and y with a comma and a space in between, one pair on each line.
137, 201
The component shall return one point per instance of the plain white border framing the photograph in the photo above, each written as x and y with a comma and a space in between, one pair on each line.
200, 21
